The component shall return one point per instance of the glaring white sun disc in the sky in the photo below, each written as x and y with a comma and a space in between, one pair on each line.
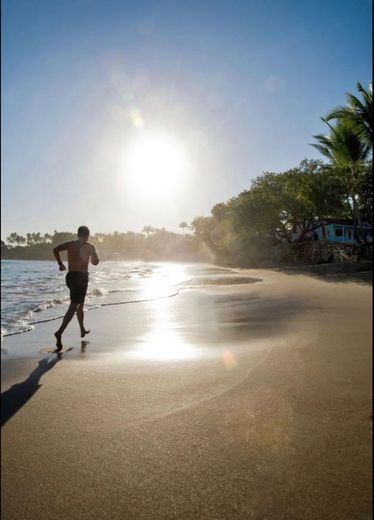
155, 164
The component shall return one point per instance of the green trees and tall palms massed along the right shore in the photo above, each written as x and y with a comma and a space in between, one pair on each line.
288, 206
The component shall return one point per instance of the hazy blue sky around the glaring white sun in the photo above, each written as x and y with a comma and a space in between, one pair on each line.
235, 88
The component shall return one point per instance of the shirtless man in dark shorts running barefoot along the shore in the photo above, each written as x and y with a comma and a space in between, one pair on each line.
79, 253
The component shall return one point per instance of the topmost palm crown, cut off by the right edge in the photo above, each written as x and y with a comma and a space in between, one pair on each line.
357, 113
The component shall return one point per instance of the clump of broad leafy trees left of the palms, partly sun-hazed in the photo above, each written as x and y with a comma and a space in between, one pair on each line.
285, 206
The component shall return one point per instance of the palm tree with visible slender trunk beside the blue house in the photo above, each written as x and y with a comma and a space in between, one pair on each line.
347, 151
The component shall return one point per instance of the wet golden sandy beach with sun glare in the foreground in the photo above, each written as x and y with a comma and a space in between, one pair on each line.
227, 401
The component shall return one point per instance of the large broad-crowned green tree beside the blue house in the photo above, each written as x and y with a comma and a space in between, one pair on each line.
289, 205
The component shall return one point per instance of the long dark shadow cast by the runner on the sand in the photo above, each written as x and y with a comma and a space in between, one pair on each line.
18, 395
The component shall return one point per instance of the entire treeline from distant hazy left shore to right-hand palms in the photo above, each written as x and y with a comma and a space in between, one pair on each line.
277, 207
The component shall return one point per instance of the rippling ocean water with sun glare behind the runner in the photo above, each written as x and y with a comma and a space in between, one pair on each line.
33, 292
